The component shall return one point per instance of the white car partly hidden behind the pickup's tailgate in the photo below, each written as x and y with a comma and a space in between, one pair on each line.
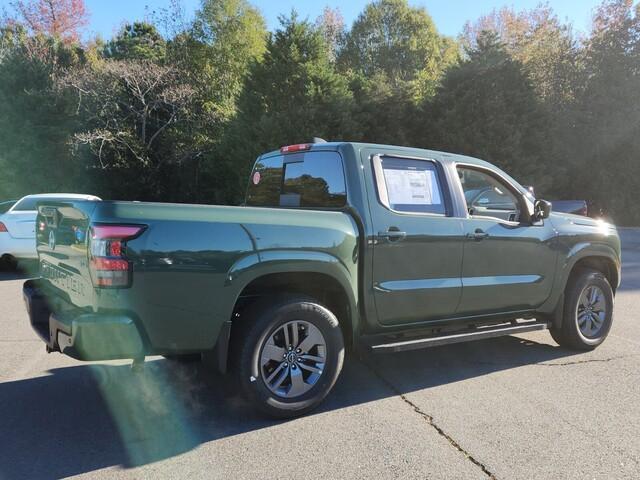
18, 226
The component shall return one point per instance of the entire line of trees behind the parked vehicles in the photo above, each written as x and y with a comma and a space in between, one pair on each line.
181, 115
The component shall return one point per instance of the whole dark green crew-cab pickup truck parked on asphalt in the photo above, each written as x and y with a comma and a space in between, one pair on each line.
338, 245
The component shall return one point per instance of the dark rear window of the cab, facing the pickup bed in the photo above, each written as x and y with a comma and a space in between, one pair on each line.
311, 179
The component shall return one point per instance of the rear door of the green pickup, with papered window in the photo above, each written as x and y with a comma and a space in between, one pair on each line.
417, 243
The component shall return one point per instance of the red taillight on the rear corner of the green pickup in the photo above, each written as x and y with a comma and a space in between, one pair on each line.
109, 265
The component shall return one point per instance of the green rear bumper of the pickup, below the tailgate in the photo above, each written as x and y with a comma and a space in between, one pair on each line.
84, 336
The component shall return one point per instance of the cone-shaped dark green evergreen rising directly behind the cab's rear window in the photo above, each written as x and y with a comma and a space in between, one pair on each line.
293, 95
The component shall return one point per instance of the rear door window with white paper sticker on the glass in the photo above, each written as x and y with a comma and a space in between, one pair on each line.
408, 185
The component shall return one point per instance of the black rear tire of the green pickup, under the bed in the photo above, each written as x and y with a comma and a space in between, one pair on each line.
263, 322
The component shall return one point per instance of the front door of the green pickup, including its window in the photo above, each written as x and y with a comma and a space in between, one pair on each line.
508, 261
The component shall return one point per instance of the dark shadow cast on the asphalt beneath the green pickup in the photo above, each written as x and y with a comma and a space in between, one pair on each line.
81, 419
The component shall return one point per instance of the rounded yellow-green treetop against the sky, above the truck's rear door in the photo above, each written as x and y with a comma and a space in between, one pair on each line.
400, 41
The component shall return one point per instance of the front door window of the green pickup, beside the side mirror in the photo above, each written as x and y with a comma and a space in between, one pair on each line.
487, 196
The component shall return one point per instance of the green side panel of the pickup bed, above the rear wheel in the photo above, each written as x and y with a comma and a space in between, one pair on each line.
193, 262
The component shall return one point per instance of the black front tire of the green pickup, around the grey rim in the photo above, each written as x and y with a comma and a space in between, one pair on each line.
570, 335
